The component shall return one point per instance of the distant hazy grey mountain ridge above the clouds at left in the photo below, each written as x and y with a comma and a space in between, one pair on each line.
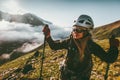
27, 18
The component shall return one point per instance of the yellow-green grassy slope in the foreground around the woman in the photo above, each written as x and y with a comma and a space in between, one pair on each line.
51, 68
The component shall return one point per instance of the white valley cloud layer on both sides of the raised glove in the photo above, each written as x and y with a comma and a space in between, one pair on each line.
18, 31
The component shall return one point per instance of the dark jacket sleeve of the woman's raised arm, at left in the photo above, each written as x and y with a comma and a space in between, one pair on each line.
59, 44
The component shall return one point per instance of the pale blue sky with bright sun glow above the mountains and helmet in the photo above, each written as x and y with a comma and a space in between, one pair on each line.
64, 12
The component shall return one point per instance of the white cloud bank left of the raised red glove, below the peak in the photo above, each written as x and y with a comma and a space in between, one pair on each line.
18, 31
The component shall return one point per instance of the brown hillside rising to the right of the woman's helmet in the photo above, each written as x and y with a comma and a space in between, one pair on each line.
105, 31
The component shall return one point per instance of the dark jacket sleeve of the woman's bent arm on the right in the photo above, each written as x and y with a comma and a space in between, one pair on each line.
109, 56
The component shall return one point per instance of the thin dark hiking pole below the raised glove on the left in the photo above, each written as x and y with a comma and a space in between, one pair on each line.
42, 59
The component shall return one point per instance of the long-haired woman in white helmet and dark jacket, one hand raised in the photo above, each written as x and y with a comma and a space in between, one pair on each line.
80, 46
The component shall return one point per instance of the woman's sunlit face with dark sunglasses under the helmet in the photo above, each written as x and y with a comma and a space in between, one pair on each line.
78, 32
